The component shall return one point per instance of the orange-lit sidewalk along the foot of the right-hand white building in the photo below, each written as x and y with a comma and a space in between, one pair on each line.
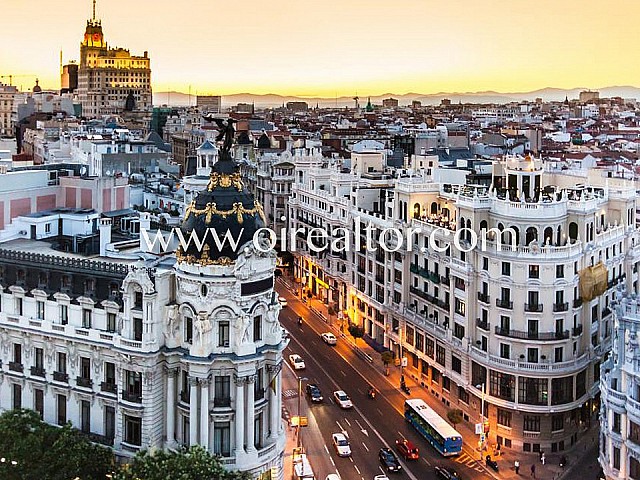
551, 470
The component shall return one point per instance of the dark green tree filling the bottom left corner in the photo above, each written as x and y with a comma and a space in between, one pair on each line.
42, 451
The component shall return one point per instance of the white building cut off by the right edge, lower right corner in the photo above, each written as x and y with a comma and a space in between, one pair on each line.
620, 389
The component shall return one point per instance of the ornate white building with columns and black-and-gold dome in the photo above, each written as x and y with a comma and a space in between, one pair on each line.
143, 351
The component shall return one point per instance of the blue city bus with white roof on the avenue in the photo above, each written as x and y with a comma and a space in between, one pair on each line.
442, 436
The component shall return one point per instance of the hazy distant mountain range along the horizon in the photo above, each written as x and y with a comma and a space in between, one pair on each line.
272, 100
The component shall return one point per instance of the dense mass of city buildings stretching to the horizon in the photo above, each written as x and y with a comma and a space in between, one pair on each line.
539, 325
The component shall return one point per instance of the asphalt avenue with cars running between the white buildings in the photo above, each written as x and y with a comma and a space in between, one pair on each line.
371, 424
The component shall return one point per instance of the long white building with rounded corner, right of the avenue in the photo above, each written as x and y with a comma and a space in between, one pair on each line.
528, 323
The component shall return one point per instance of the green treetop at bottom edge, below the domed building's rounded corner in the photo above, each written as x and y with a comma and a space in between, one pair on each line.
193, 463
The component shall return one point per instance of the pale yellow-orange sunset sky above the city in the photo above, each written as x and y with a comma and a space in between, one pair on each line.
324, 48
